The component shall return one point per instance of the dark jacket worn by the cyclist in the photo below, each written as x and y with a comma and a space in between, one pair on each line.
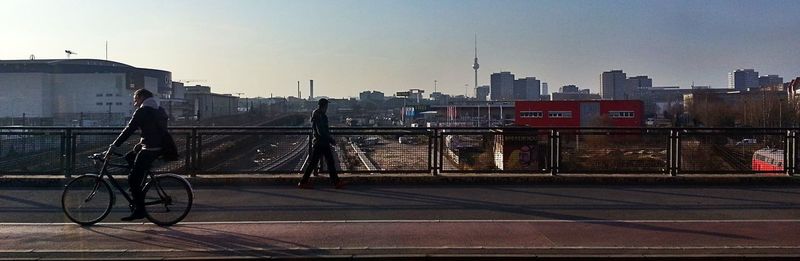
151, 120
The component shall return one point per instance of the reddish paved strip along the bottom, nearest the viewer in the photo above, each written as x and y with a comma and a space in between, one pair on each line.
768, 239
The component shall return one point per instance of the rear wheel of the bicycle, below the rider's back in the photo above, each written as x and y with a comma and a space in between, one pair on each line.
168, 199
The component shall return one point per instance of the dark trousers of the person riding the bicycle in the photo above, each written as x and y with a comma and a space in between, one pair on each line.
140, 162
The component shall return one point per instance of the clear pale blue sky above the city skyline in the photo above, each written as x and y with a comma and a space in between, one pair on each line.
260, 47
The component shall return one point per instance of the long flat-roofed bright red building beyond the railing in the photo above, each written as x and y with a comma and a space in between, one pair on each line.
590, 113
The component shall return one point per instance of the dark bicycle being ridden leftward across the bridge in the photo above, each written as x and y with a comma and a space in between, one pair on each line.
88, 198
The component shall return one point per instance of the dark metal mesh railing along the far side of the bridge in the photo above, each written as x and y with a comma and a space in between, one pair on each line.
375, 150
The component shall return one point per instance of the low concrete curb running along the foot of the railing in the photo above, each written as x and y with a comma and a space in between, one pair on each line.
466, 179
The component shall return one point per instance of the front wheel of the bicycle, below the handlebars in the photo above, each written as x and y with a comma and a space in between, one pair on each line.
87, 199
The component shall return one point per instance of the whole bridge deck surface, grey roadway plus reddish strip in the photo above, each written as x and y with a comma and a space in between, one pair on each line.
424, 221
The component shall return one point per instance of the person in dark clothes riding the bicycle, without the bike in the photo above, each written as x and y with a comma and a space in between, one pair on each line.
151, 120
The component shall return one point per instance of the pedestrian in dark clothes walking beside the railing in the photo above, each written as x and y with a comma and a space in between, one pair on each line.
320, 147
